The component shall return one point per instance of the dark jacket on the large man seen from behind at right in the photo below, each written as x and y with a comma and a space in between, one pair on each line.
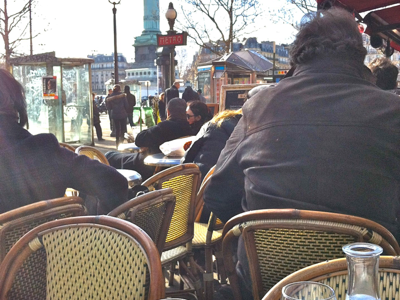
324, 139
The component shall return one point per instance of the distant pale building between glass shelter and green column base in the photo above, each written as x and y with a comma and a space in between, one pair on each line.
103, 70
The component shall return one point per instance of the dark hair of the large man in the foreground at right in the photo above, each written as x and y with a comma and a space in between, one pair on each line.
331, 33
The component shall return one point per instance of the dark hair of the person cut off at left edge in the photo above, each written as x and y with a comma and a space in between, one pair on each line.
12, 98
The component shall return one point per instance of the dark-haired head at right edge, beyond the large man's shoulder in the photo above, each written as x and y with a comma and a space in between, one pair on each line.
385, 72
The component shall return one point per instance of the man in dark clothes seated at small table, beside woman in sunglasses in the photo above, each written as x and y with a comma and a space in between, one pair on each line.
174, 127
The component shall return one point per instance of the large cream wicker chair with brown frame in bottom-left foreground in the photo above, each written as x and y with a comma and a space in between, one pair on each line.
88, 257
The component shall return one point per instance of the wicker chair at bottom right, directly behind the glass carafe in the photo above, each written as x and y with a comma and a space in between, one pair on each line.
334, 273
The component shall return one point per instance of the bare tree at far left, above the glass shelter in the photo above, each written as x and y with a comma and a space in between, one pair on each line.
13, 28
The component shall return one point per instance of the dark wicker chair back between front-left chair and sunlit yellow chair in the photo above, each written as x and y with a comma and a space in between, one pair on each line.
152, 212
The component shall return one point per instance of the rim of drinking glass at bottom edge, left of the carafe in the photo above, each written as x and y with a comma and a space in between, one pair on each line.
307, 290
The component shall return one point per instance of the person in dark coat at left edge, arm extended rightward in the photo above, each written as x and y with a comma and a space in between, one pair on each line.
35, 167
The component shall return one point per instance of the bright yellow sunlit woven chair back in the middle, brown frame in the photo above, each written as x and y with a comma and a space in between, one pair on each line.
184, 180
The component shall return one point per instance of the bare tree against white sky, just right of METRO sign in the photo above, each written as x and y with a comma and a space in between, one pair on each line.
215, 24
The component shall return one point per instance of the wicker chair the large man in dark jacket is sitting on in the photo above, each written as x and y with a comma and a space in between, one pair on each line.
279, 242
